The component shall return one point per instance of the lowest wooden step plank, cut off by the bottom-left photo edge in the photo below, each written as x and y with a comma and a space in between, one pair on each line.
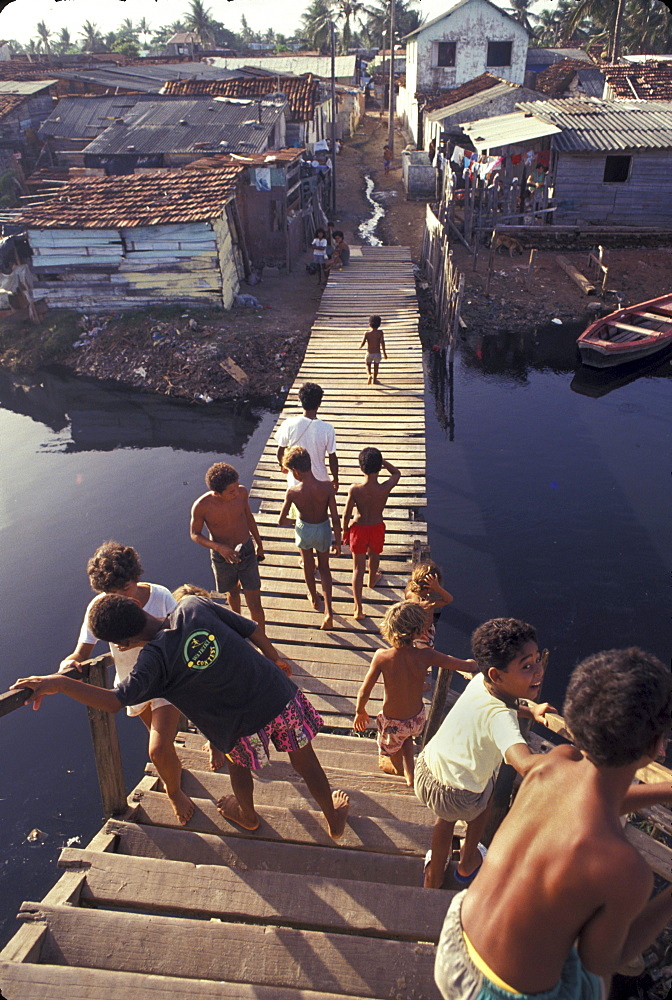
58, 982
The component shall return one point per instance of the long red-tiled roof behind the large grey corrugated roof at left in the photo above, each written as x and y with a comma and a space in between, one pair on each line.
302, 92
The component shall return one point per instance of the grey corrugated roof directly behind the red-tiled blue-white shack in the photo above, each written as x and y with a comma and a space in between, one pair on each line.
173, 132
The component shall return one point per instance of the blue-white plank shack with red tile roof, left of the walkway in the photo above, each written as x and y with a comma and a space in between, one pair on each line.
155, 238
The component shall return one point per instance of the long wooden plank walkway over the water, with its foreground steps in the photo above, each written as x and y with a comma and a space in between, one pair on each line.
209, 911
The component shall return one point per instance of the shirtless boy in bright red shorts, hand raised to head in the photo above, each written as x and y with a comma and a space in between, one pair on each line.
366, 534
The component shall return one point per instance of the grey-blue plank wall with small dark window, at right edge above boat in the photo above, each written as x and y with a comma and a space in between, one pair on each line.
645, 199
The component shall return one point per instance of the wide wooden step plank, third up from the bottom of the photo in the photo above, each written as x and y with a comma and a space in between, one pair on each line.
305, 901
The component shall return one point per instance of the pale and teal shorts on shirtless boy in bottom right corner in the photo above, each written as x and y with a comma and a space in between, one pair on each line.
458, 978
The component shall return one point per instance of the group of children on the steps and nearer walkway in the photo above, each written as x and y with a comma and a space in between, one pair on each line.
561, 898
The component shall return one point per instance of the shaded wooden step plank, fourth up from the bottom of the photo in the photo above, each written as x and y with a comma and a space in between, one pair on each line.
245, 854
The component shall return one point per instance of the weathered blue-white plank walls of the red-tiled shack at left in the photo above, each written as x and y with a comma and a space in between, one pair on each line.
123, 269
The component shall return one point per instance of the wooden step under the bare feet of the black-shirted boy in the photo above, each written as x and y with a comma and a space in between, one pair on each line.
297, 826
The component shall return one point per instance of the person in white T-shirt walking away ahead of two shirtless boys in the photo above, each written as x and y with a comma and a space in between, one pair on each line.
316, 436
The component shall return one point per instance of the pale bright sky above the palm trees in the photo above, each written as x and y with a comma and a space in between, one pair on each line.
19, 18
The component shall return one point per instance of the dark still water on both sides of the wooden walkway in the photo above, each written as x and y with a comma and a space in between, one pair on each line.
546, 503
